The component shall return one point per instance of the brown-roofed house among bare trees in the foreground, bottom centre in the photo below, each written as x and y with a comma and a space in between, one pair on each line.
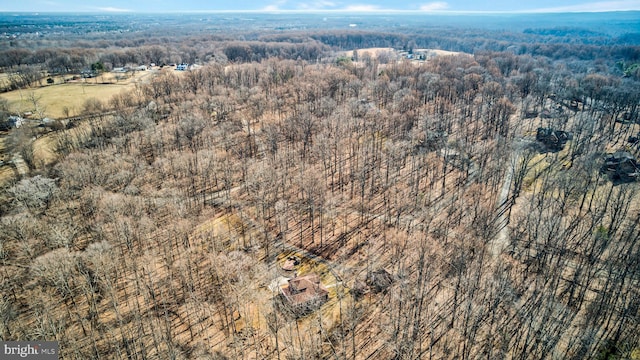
304, 293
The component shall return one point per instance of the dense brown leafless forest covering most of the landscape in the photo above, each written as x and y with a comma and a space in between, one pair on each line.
482, 204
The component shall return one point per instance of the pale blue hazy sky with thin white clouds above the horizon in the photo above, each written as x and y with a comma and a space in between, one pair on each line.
317, 5
